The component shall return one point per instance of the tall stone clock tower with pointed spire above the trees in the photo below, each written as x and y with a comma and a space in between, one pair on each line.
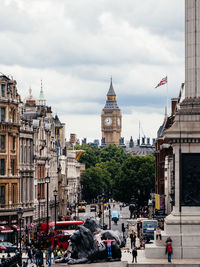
111, 119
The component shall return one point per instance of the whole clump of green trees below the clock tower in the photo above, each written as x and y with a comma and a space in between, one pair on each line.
116, 173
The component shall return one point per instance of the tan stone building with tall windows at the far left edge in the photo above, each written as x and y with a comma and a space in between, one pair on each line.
9, 155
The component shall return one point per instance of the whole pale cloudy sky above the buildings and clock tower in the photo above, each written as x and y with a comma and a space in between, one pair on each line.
74, 46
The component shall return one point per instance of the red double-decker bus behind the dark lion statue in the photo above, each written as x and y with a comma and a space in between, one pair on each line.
60, 237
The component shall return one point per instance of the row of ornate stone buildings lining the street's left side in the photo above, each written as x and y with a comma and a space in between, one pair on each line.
32, 149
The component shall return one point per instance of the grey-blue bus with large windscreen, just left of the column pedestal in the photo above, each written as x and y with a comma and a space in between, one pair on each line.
146, 228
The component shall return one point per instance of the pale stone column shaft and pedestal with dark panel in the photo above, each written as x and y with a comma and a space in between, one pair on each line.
183, 224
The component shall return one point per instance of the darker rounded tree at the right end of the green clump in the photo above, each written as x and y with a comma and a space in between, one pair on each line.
136, 178
